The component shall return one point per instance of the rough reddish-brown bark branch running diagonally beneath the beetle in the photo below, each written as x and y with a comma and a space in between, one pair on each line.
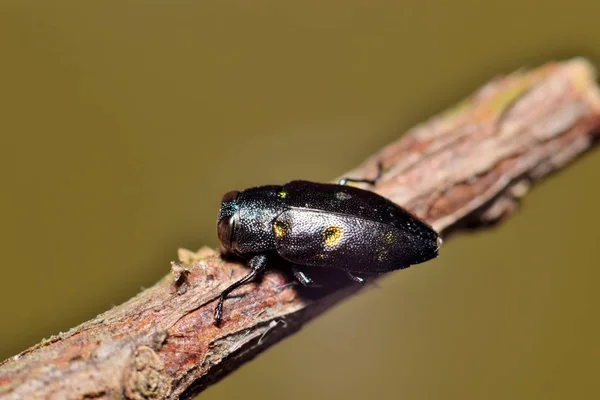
464, 168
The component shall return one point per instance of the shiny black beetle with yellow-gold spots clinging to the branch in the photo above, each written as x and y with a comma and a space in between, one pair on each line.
321, 225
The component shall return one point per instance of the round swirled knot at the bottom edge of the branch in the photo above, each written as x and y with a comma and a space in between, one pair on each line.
144, 378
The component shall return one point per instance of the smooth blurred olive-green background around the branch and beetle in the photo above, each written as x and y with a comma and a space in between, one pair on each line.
123, 122
